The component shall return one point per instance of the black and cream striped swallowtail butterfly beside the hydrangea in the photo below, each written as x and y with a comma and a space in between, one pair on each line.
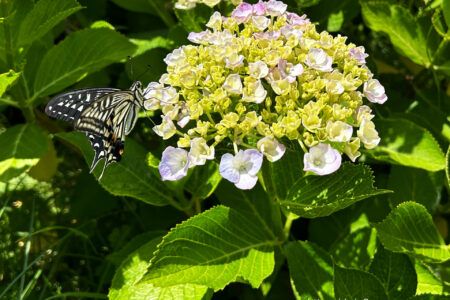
107, 115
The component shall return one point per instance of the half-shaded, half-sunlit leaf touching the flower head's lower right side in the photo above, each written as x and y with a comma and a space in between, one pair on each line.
407, 144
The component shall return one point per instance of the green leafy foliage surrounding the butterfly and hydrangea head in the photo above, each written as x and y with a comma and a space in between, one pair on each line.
64, 235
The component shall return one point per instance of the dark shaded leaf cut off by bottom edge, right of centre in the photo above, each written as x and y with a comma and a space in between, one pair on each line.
356, 284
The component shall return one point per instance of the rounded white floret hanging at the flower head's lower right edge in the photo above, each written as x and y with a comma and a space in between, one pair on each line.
322, 159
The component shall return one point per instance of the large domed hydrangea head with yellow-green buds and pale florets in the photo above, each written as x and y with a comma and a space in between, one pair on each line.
257, 80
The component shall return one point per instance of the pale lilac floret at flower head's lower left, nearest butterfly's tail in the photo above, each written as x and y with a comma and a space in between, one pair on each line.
174, 164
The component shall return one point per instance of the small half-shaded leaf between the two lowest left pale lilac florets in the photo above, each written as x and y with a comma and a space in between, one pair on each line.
203, 180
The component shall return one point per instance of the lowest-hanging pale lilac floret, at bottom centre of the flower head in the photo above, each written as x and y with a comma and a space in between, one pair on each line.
242, 168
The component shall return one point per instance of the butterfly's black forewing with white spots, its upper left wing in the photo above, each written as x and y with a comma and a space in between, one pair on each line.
70, 105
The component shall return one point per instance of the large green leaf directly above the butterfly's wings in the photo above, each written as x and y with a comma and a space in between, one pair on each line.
81, 53
